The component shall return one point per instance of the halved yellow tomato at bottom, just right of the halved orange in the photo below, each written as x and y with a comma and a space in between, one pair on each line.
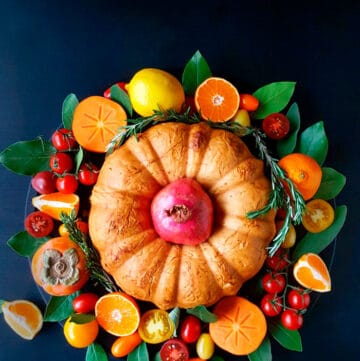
155, 326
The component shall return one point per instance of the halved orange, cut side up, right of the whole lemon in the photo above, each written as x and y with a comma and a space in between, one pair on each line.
216, 99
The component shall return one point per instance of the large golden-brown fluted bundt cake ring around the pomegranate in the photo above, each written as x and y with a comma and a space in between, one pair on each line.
170, 274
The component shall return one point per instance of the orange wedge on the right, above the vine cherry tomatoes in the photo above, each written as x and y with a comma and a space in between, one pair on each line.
311, 272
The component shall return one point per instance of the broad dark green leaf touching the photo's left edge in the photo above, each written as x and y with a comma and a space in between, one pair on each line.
27, 157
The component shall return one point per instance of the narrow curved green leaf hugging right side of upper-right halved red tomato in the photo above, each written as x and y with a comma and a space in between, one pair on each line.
287, 145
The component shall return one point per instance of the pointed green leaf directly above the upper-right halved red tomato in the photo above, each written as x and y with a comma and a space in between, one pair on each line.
273, 98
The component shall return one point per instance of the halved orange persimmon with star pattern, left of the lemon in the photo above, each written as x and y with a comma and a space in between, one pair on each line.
96, 121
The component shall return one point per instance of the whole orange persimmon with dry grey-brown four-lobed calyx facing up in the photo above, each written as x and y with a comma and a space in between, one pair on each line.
59, 267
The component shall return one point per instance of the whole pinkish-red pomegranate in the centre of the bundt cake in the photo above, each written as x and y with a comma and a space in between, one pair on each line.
182, 212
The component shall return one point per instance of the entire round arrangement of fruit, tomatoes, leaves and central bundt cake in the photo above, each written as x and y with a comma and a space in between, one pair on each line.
156, 233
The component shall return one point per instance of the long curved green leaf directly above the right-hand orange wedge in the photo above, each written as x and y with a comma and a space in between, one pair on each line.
317, 242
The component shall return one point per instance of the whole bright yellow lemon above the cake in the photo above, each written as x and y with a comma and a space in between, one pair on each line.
154, 89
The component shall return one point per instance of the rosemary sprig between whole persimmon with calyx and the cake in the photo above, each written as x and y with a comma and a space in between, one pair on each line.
97, 273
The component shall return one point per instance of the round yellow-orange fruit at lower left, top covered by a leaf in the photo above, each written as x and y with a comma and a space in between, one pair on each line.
80, 335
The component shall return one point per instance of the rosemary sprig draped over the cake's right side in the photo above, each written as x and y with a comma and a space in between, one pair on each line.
283, 194
